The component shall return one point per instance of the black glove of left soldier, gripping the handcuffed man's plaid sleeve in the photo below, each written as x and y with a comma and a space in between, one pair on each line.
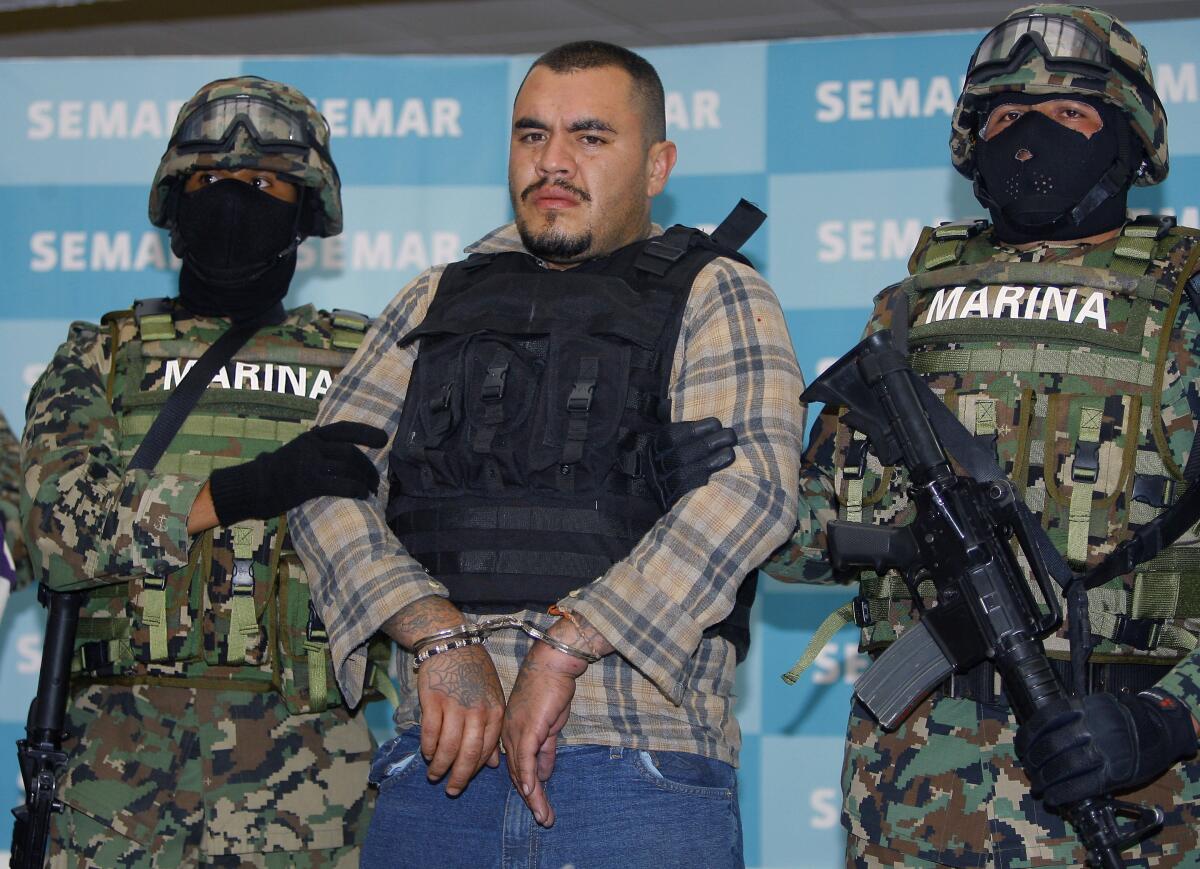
322, 462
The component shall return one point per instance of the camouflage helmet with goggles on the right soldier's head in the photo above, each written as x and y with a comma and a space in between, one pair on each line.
1060, 49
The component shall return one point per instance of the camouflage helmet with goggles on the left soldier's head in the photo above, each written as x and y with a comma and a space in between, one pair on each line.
251, 123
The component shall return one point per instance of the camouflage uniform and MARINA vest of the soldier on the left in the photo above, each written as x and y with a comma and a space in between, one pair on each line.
206, 726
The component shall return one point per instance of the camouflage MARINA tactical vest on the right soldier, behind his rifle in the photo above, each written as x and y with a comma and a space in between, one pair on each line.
1064, 368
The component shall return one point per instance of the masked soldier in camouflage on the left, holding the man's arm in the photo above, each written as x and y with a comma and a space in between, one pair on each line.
206, 724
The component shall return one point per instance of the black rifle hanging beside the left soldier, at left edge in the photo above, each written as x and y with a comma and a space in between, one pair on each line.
40, 754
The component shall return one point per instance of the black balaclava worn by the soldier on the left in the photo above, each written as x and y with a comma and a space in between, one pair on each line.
239, 249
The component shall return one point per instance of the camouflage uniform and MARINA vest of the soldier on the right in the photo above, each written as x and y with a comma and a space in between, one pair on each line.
1114, 380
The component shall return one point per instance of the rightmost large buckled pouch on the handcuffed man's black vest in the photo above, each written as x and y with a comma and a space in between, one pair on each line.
587, 385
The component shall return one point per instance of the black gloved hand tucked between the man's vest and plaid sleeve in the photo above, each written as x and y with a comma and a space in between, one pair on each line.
685, 456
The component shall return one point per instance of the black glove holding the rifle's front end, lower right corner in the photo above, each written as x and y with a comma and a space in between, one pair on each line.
1081, 748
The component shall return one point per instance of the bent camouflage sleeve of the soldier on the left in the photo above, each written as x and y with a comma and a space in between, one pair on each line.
88, 522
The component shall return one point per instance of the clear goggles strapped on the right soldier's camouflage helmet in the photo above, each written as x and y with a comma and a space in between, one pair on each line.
1063, 43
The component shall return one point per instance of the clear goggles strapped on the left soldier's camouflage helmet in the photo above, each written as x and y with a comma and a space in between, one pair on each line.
215, 124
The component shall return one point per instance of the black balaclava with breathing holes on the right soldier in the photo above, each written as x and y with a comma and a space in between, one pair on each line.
1071, 188
